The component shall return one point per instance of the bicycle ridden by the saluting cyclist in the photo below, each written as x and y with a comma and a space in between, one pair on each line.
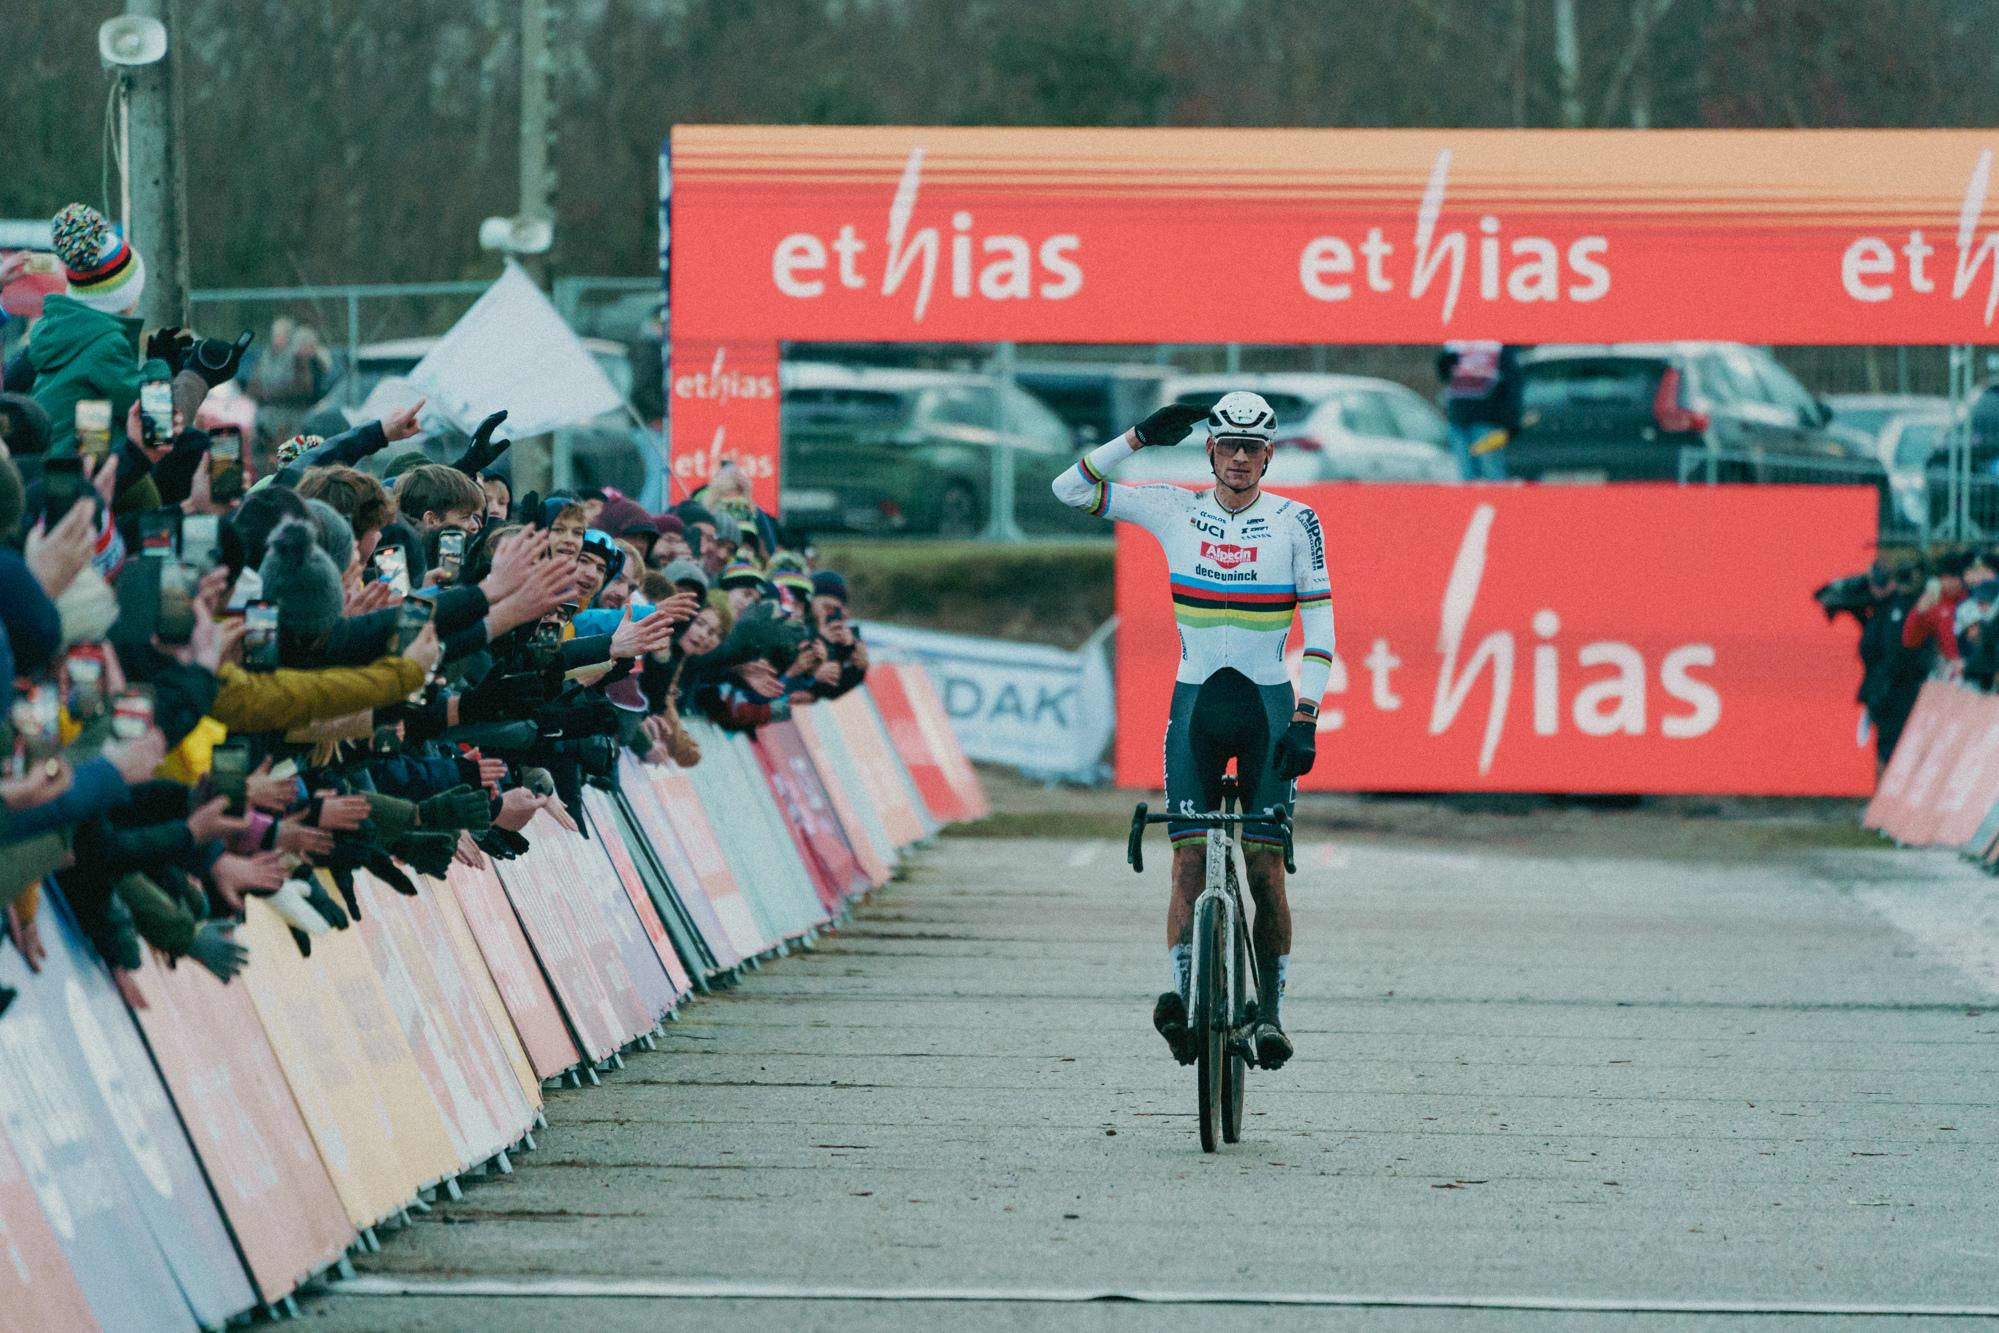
1218, 1008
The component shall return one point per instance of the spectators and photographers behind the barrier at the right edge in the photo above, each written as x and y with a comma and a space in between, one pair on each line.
1920, 621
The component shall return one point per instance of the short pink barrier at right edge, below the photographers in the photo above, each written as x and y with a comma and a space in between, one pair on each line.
1942, 788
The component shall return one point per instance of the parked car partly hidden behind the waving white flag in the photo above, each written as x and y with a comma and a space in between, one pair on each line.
605, 453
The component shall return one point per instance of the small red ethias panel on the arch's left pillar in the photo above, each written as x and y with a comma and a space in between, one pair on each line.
723, 405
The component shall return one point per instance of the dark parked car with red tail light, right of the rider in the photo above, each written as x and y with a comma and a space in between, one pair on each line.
1622, 413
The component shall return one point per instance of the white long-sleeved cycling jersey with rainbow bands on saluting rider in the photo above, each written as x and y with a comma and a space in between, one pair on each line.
1238, 577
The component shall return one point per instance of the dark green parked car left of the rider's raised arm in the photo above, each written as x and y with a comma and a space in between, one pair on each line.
917, 451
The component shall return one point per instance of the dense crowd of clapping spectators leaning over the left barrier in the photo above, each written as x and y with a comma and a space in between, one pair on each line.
223, 684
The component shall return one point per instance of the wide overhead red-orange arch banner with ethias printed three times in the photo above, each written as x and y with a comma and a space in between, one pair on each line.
983, 235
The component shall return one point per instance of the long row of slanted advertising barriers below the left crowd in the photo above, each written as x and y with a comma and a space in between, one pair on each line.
177, 1152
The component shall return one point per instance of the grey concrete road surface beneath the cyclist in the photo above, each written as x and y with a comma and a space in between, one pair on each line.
1696, 1074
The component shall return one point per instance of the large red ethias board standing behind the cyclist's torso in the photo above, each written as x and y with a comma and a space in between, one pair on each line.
1552, 639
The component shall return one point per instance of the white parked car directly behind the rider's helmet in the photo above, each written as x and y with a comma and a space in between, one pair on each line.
1330, 429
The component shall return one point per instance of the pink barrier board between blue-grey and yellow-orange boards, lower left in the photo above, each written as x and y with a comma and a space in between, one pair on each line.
239, 1112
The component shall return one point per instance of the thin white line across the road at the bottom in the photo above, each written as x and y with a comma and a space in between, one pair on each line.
657, 1290
